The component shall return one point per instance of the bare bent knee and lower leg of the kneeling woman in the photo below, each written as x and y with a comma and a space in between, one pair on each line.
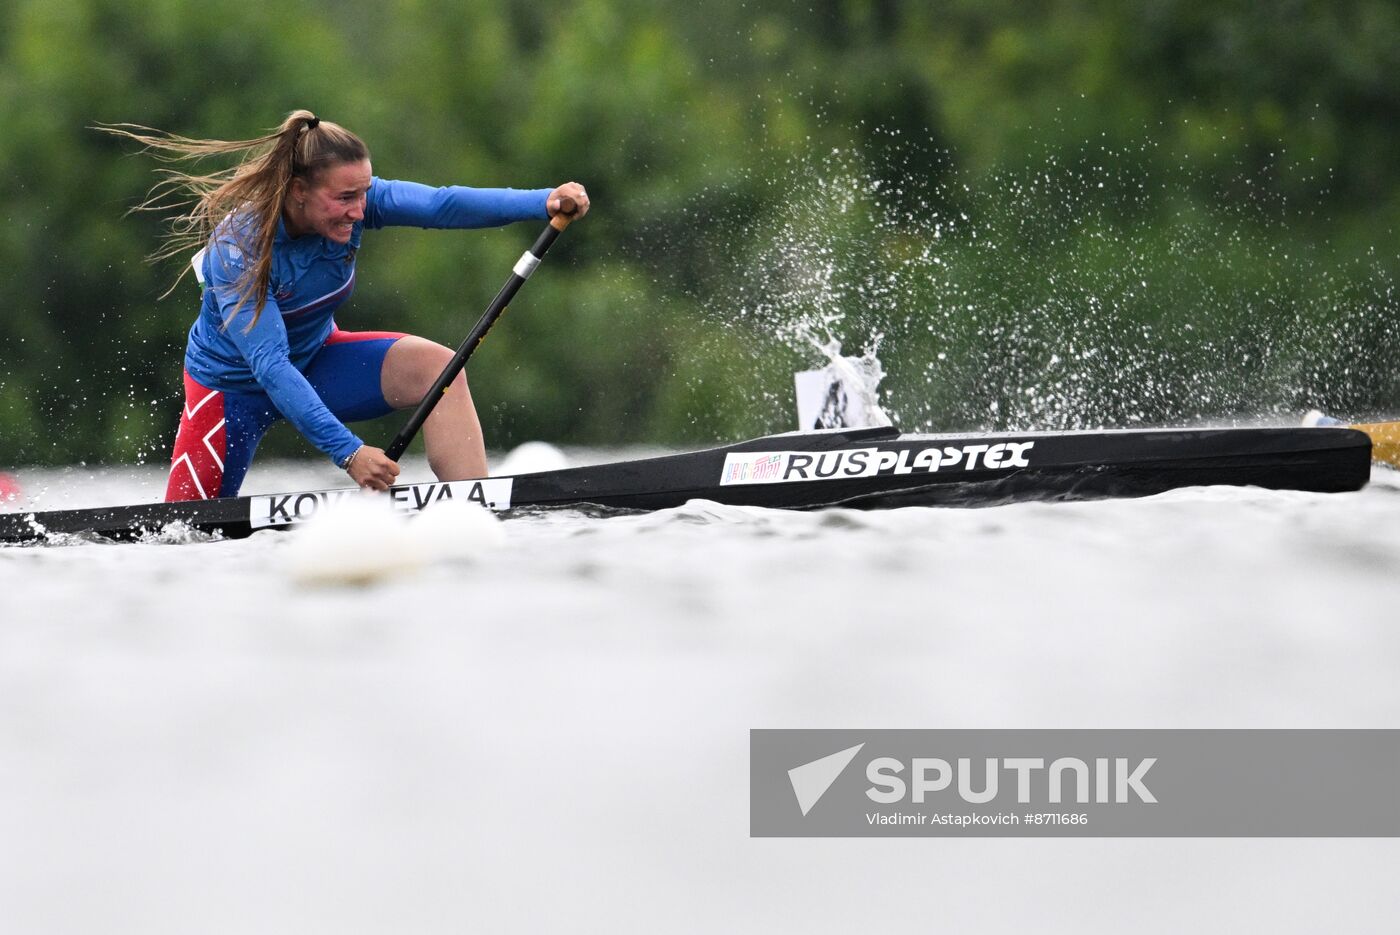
453, 433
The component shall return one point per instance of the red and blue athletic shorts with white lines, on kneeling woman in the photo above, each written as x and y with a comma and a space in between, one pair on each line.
219, 430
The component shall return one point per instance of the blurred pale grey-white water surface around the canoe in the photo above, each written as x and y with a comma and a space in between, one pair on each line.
555, 737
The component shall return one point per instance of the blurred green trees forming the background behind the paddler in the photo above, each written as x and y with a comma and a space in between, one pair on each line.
1062, 215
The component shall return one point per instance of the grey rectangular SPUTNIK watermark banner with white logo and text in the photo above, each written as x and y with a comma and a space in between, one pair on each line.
1076, 783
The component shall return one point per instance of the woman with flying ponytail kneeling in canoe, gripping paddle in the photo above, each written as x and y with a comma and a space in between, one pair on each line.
281, 233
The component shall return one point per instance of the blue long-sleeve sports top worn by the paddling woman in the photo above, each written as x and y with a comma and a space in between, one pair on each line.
310, 278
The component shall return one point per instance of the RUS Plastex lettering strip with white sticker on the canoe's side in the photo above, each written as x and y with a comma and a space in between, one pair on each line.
792, 467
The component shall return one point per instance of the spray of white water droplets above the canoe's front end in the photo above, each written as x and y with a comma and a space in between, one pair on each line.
1070, 293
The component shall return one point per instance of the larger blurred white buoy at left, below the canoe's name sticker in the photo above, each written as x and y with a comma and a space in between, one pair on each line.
359, 542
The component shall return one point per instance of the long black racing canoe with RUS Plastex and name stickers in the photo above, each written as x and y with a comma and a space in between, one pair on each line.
866, 468
